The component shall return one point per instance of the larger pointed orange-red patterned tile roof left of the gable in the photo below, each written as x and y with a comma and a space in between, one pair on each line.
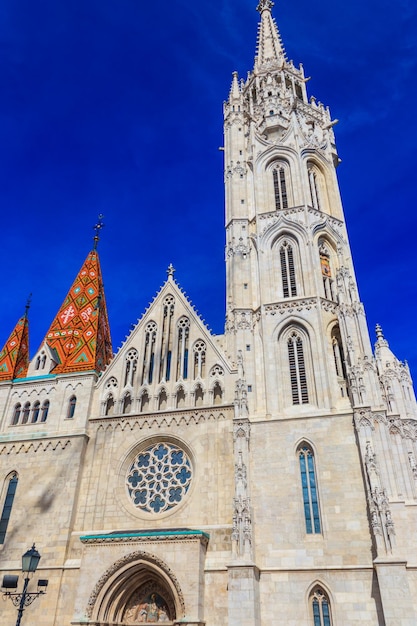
80, 333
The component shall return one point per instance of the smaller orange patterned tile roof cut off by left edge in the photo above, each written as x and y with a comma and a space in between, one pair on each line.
14, 358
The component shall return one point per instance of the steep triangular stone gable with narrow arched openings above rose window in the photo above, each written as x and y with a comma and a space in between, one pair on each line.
170, 360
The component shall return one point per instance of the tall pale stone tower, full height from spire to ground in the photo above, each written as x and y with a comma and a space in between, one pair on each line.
320, 405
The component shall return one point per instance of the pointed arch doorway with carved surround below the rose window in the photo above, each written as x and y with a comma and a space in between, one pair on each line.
137, 589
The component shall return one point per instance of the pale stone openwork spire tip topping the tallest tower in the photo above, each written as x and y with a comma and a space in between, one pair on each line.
270, 51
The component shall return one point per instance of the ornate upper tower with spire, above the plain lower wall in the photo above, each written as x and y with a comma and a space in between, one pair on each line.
292, 302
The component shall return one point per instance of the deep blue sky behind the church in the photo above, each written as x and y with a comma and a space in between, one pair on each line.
116, 107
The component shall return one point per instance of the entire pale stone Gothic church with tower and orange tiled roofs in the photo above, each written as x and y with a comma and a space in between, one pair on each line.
266, 476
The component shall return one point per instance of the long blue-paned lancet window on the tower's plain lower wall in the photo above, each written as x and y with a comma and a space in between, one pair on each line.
309, 487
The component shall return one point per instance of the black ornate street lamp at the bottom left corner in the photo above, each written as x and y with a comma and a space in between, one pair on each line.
30, 561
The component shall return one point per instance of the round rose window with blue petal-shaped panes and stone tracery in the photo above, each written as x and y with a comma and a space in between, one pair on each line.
159, 478
